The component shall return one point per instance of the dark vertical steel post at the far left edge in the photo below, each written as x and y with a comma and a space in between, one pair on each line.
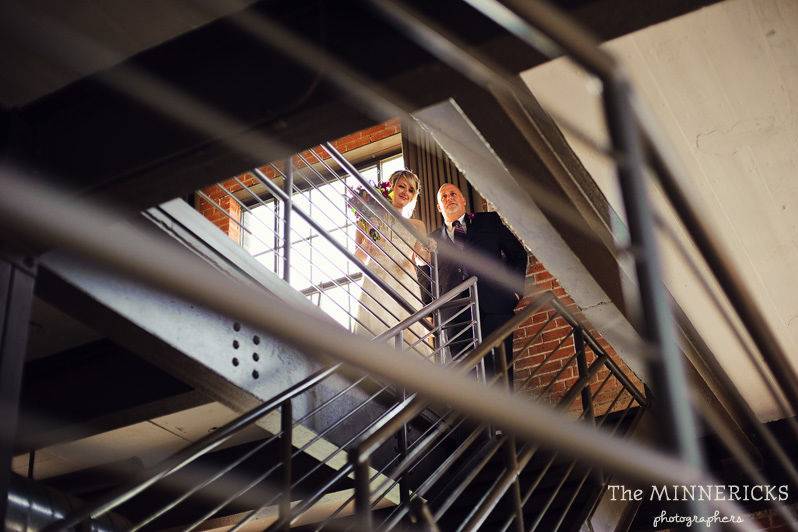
17, 277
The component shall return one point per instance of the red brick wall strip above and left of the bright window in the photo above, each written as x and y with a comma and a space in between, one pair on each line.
230, 225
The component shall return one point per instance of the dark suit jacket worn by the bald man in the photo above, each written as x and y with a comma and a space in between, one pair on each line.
488, 236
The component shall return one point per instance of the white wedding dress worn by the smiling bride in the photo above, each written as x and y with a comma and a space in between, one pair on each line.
392, 262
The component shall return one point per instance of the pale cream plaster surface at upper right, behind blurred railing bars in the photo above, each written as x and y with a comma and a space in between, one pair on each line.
723, 82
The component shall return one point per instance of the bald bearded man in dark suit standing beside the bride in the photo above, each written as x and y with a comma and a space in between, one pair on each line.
479, 234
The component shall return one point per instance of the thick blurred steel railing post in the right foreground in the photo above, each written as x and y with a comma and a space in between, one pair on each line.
666, 367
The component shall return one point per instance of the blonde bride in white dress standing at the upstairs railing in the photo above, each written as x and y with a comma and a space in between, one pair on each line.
391, 253
